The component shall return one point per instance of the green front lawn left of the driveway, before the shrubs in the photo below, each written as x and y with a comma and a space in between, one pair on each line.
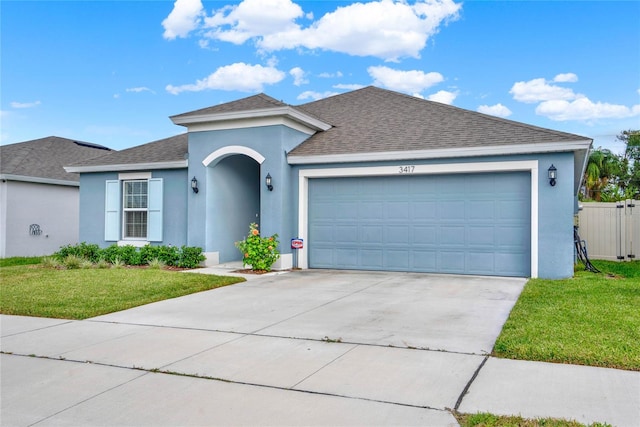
33, 290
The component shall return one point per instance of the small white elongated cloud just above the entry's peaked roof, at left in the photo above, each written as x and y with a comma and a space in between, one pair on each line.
239, 76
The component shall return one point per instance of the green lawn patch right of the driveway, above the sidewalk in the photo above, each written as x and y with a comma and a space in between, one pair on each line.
590, 319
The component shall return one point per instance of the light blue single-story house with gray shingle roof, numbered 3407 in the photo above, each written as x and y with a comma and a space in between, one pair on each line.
370, 179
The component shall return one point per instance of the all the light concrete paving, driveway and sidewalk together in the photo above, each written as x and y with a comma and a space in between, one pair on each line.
244, 358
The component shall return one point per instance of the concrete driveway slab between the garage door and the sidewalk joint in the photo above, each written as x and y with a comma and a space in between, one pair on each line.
437, 312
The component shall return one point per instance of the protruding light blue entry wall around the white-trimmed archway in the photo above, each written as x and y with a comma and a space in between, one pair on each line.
277, 210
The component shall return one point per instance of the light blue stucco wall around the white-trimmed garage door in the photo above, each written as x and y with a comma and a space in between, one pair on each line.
555, 205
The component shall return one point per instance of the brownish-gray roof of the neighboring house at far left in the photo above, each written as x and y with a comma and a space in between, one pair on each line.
42, 160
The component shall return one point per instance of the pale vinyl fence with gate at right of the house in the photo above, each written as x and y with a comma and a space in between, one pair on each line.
611, 231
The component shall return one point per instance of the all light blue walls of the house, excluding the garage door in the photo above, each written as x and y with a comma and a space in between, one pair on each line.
233, 188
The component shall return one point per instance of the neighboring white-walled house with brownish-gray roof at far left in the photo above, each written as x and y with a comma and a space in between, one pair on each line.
39, 200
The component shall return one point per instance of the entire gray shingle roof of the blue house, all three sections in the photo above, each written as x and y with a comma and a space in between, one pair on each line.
367, 120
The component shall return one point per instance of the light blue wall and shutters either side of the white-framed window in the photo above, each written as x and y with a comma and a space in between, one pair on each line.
176, 189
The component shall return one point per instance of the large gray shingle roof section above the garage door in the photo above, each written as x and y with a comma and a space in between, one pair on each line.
378, 120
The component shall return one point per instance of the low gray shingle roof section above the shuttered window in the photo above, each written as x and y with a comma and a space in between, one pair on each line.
167, 153
